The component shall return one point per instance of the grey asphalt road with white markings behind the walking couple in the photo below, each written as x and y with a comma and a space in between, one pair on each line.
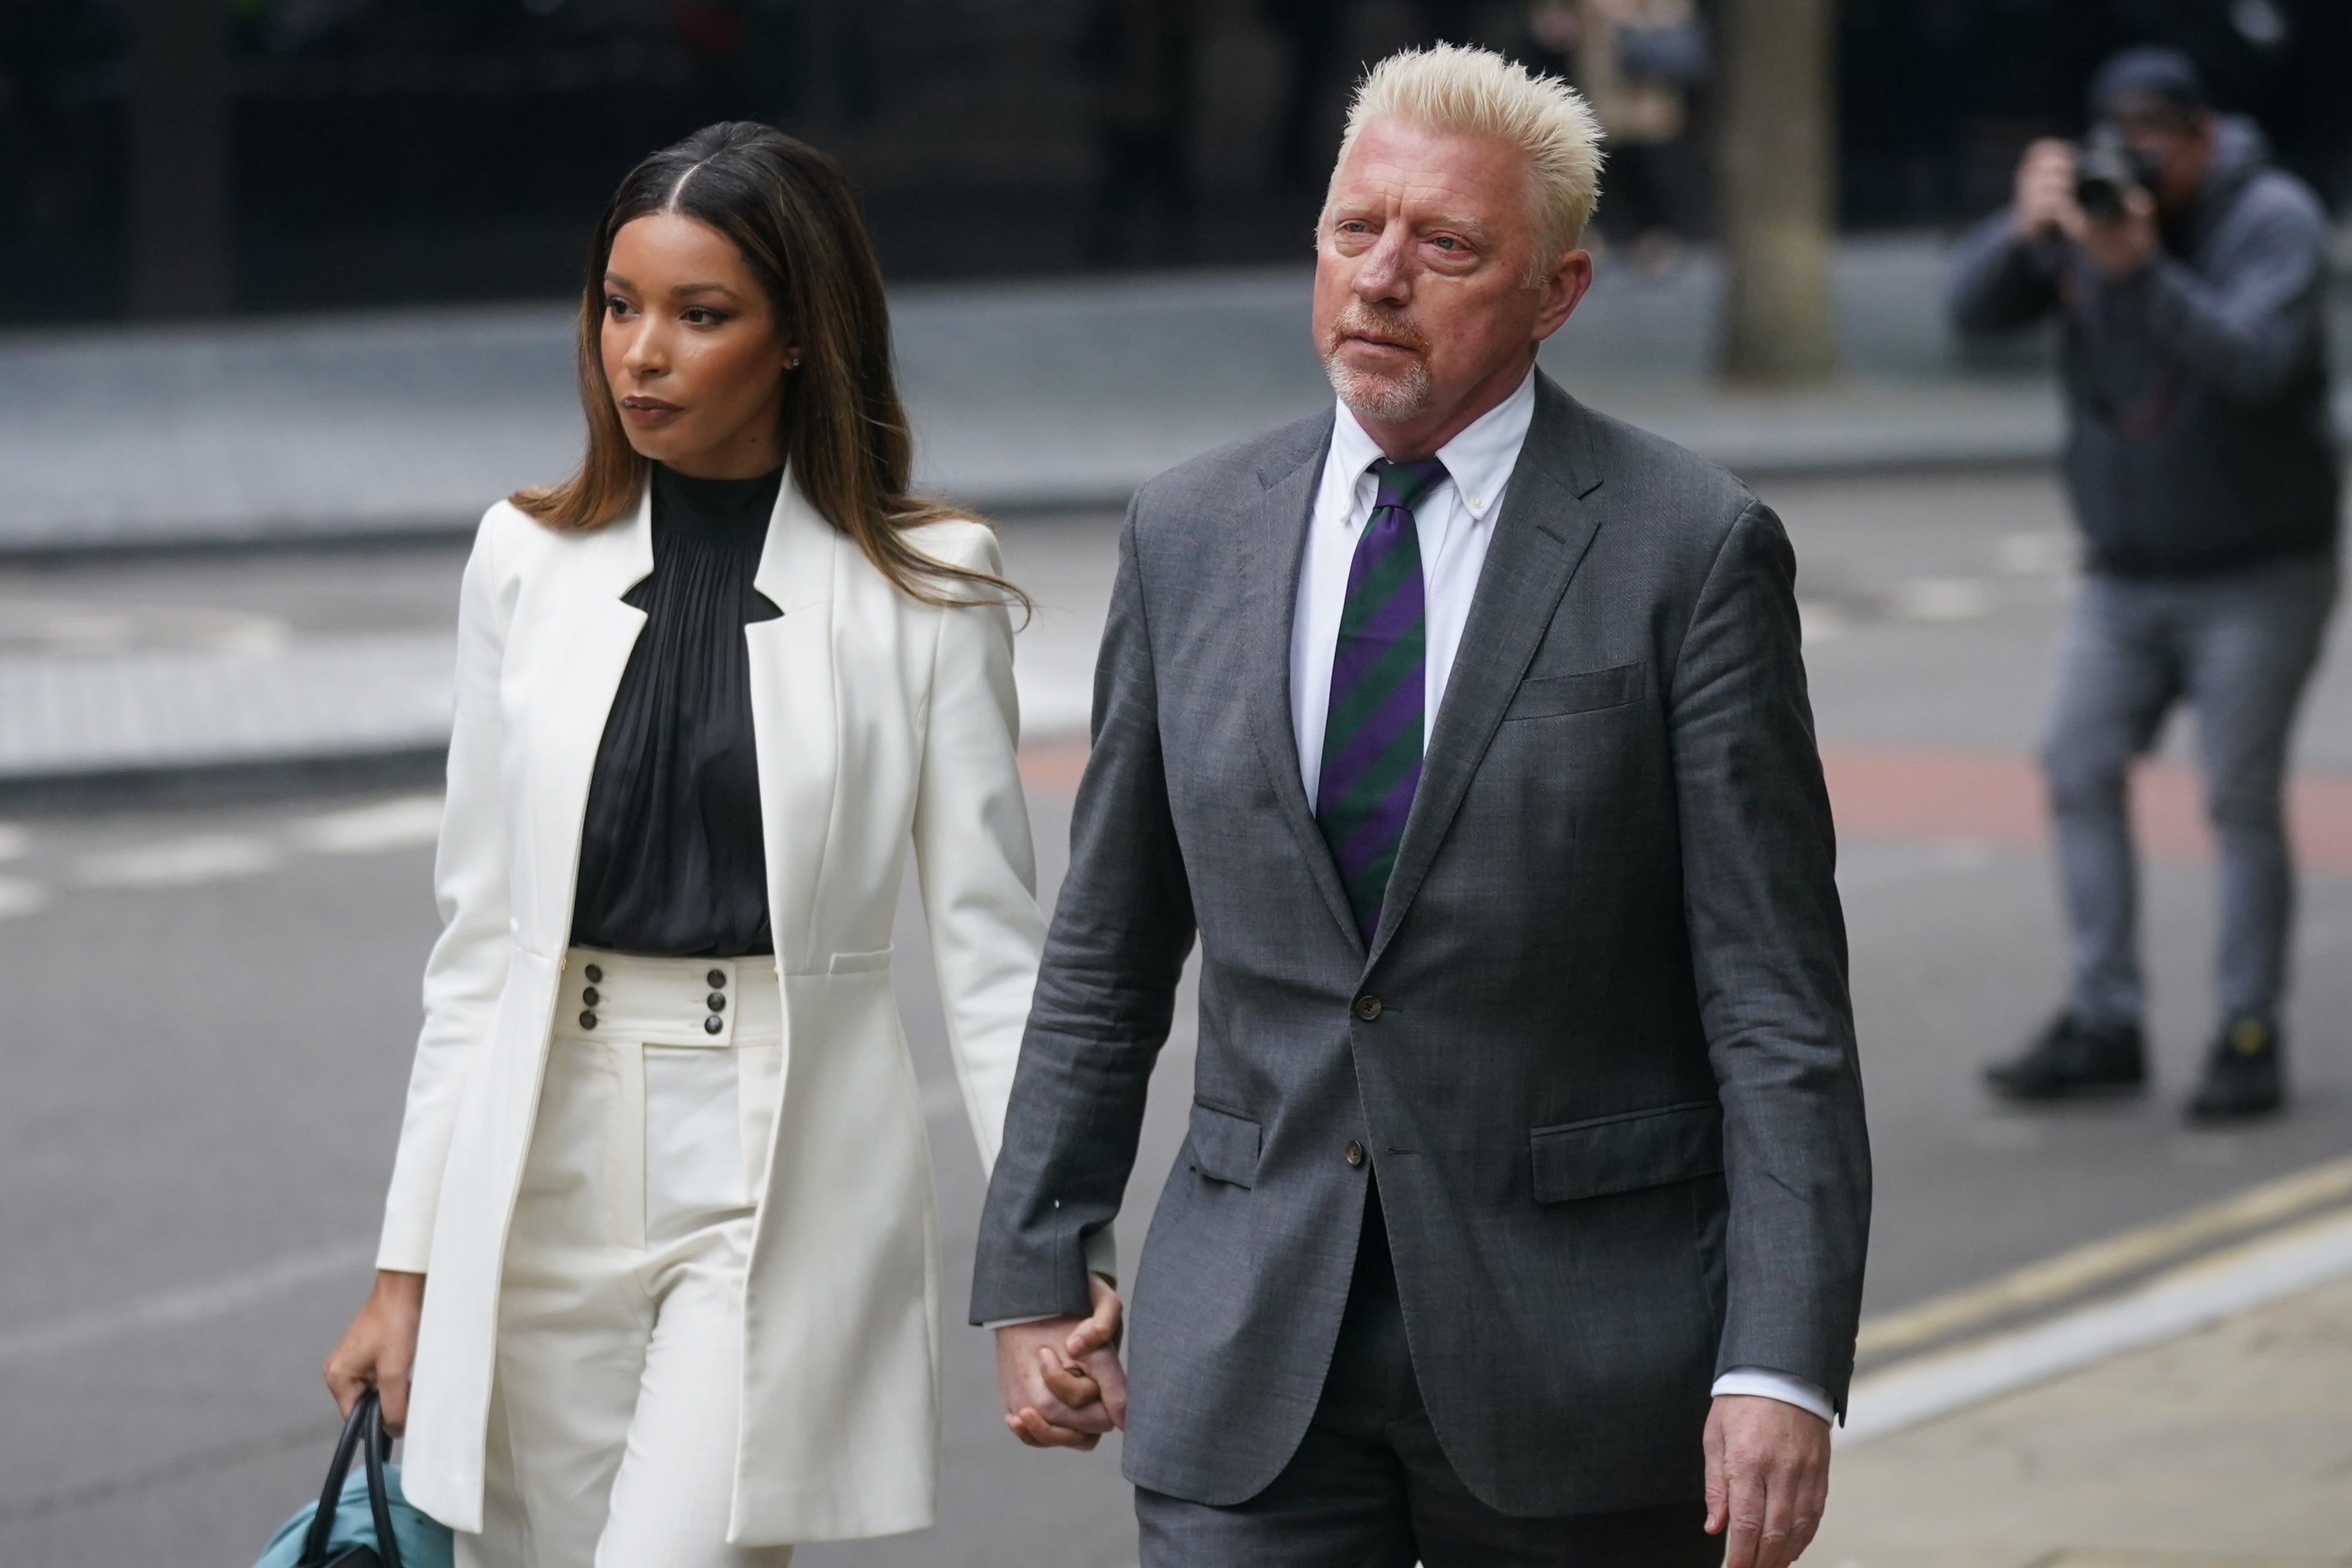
211, 1010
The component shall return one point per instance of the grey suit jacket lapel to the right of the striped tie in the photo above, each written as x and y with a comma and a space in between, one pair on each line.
1537, 547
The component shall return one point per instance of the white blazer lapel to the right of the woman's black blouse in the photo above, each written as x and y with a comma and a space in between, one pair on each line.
794, 713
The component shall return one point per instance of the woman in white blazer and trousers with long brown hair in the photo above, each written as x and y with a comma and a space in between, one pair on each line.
657, 1278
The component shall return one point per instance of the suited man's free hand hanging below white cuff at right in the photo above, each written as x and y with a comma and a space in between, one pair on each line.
1768, 1480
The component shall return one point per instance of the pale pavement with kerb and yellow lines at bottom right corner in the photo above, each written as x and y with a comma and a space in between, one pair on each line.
2177, 1395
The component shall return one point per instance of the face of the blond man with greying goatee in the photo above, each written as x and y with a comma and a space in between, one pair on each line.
1422, 274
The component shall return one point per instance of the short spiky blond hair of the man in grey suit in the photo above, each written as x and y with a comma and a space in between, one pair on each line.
1476, 93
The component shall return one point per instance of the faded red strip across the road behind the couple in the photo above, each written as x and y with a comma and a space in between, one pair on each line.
1972, 798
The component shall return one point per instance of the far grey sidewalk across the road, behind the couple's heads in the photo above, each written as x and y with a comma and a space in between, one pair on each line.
1024, 394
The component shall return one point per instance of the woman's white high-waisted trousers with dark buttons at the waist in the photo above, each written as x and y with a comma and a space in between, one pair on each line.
620, 1386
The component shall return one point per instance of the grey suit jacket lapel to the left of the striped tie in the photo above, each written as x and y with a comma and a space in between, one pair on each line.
1271, 556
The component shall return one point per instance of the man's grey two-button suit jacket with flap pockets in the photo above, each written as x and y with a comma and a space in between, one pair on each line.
1601, 1047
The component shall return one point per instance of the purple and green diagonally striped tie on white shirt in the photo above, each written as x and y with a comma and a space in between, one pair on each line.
1372, 735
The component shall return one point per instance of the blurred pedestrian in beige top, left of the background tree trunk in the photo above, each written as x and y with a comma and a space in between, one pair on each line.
1636, 62
